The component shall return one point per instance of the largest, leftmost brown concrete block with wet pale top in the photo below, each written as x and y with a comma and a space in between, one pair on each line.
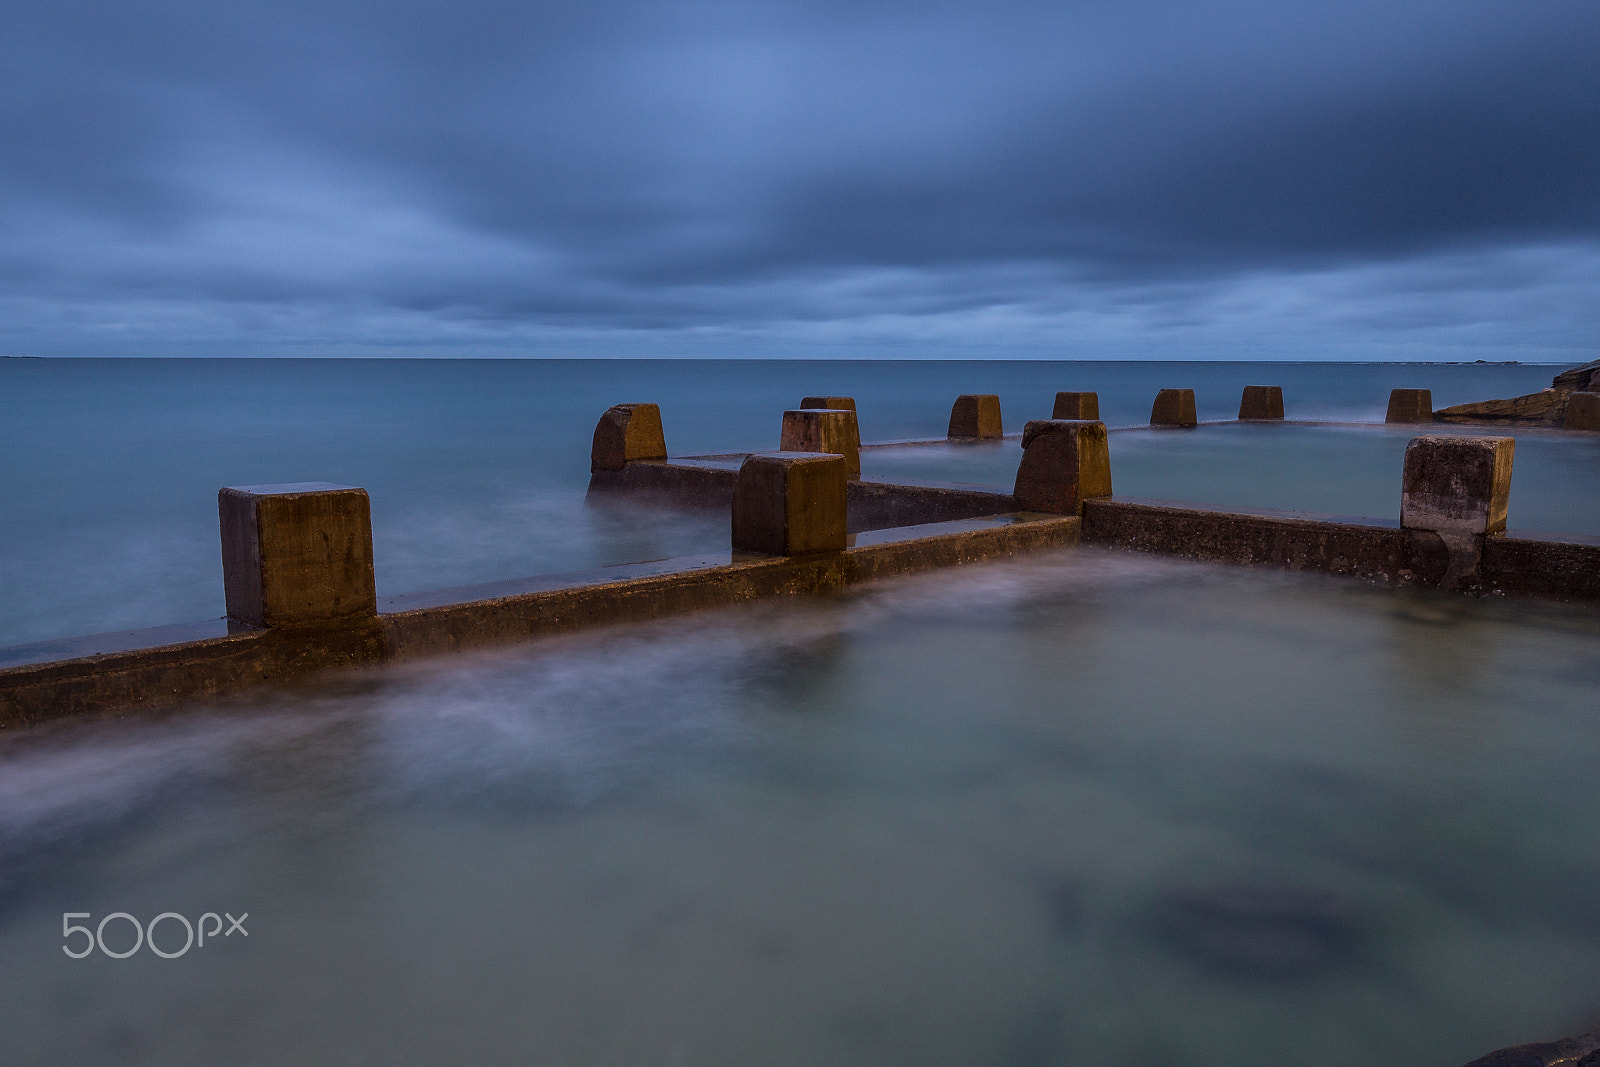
297, 554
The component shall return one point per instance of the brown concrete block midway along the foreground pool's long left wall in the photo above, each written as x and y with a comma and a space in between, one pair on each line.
790, 505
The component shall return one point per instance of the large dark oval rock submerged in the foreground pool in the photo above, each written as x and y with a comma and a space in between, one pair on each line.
1258, 932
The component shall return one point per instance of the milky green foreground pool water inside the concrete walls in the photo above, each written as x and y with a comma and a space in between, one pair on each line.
1079, 809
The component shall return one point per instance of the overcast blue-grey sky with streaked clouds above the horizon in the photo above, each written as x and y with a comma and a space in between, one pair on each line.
1110, 178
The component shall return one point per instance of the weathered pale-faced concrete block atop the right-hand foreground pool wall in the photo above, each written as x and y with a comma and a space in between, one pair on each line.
1457, 486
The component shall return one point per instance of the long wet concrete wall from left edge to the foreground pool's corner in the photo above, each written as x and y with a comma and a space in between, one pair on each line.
135, 669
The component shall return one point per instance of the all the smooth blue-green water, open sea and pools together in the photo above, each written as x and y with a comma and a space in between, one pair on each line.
1071, 809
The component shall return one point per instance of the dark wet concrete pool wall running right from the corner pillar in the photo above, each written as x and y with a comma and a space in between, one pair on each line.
1364, 548
